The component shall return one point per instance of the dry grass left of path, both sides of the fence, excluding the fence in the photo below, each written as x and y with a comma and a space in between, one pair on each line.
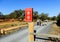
11, 24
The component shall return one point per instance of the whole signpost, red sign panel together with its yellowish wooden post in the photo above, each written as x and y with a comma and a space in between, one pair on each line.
28, 18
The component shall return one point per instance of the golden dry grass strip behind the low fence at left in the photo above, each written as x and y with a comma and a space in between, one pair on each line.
11, 24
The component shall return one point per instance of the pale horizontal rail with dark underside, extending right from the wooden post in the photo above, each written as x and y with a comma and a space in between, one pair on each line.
50, 37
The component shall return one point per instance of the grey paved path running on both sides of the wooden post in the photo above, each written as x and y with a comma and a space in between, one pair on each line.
22, 35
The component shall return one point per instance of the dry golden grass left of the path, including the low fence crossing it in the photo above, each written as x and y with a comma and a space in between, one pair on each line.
11, 27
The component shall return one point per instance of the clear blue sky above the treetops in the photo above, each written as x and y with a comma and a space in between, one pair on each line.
52, 7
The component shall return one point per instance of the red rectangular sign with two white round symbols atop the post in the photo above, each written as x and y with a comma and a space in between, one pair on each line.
28, 14
